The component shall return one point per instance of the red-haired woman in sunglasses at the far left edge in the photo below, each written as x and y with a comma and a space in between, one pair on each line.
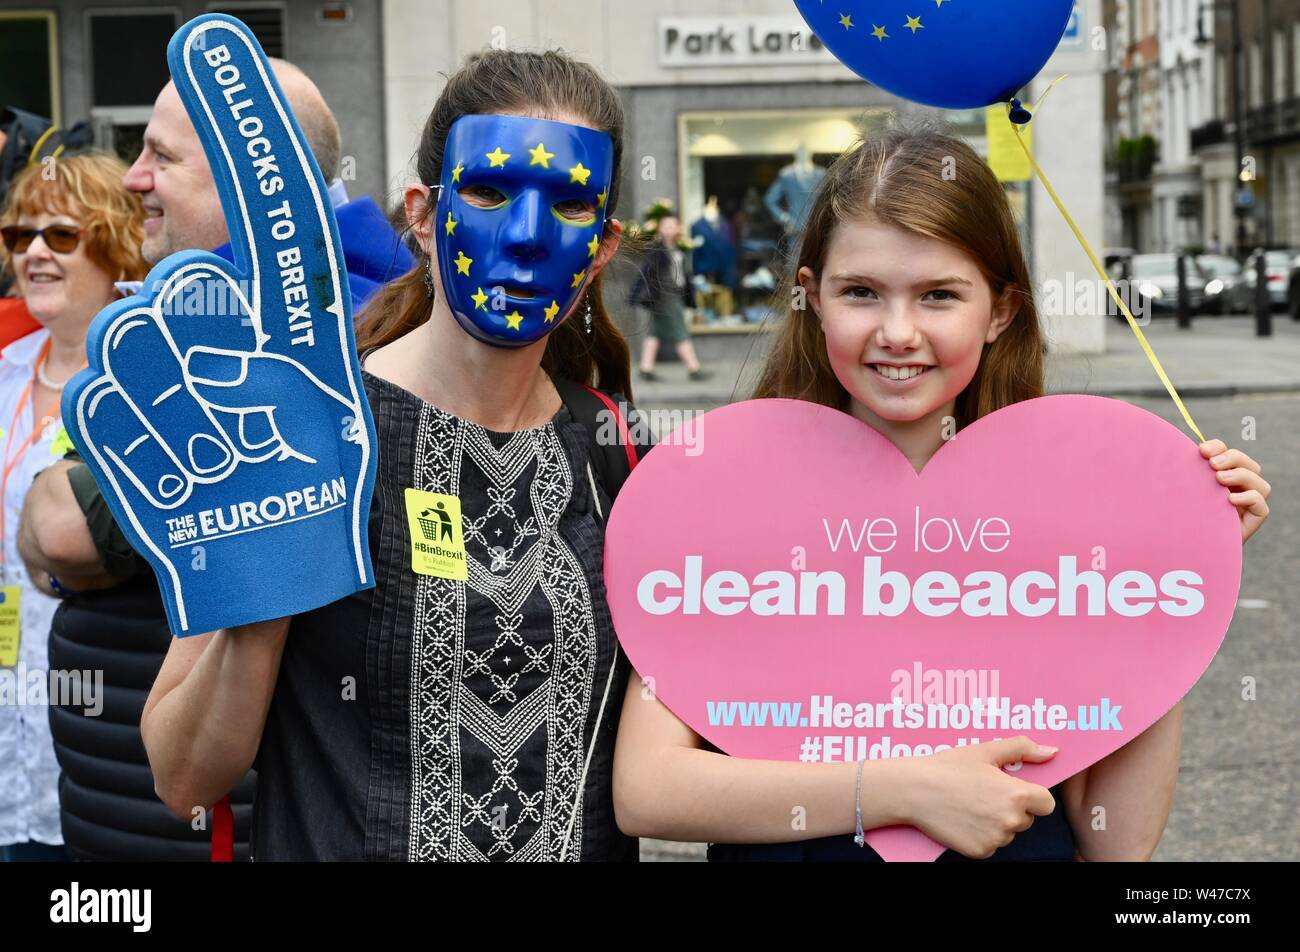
71, 231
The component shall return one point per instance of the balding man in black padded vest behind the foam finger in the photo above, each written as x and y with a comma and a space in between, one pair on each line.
112, 617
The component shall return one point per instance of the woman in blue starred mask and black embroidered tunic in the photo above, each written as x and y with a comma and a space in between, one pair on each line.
466, 707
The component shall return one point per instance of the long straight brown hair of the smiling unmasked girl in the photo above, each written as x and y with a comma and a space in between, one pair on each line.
938, 187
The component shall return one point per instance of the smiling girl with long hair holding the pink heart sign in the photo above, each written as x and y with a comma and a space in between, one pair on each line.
920, 308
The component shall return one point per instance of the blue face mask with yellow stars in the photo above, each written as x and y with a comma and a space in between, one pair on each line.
519, 223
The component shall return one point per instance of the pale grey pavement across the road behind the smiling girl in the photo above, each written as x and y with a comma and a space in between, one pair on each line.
1217, 357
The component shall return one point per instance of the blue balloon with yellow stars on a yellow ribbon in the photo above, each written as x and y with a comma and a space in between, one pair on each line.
952, 54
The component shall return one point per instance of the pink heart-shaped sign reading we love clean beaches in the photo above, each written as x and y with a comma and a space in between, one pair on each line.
1065, 569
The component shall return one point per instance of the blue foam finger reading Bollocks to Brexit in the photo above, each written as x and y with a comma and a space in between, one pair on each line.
219, 410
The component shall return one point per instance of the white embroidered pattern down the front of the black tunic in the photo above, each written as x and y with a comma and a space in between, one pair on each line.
513, 699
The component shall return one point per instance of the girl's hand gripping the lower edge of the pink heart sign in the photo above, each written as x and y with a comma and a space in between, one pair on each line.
965, 800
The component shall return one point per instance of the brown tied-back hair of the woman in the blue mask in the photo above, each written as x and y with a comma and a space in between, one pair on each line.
489, 83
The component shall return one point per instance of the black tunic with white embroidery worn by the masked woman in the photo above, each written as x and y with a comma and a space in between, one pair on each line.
437, 720
